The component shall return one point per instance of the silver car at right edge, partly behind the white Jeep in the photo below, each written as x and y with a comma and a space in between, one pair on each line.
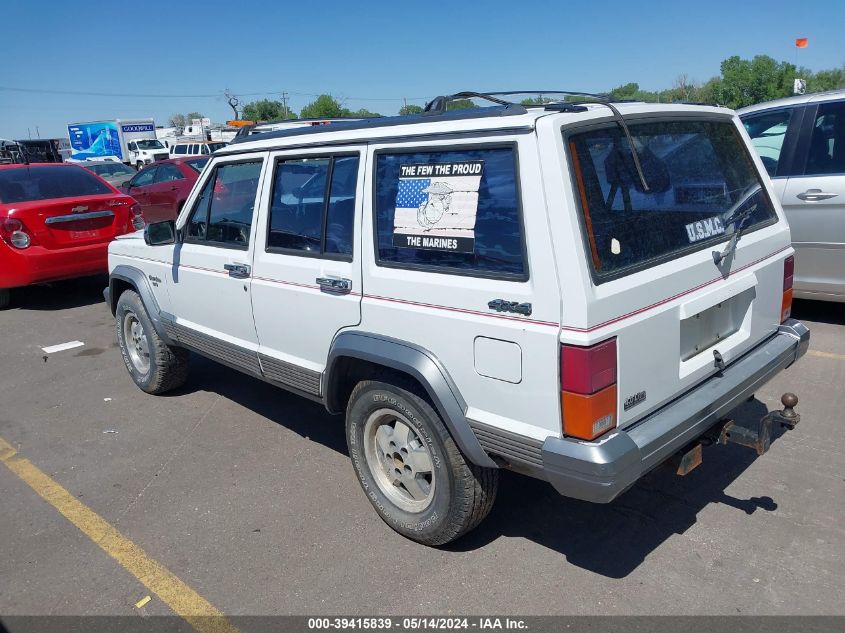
801, 141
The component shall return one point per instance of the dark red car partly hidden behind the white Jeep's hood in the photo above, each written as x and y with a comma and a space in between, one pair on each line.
162, 187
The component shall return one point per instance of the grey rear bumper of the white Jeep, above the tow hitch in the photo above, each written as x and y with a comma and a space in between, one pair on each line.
602, 470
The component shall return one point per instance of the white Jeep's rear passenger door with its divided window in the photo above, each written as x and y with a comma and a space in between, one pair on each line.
307, 270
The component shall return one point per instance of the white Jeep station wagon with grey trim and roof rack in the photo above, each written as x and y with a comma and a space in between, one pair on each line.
530, 288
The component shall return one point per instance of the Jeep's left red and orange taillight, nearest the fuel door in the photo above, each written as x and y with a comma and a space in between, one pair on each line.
588, 389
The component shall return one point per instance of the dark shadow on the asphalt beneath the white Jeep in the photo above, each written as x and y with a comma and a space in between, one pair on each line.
610, 540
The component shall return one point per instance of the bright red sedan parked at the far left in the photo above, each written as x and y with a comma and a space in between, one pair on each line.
56, 222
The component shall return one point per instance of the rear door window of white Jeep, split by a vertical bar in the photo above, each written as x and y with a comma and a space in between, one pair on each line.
313, 205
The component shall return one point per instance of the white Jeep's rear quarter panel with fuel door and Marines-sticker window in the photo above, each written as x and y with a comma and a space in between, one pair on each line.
462, 266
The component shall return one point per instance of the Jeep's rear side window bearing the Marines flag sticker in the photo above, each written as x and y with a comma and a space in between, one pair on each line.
450, 211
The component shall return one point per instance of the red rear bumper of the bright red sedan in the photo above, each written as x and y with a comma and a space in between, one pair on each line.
38, 265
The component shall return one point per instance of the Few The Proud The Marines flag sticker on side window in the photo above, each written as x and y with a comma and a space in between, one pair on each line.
436, 205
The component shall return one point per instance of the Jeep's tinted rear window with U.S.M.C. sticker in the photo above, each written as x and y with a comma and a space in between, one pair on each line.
699, 174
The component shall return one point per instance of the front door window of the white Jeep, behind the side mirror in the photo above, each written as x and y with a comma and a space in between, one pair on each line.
223, 212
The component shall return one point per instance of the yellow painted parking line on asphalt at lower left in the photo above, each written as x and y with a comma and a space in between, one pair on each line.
186, 602
